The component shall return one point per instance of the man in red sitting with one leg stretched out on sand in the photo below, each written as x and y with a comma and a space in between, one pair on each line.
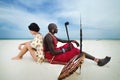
65, 53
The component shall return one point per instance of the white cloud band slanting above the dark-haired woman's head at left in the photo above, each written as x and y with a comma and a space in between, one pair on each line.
23, 18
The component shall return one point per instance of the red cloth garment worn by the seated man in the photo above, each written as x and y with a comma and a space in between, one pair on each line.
64, 57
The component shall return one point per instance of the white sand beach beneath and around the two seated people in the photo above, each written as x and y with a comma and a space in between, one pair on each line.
27, 69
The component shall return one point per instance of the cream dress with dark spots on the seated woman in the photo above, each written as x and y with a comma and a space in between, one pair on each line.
37, 44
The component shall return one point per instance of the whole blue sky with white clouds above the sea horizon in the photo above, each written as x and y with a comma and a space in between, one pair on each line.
100, 18
